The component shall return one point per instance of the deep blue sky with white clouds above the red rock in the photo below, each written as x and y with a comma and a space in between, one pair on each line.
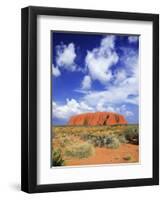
94, 72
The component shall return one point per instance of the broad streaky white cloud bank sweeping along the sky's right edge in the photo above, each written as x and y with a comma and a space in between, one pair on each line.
125, 84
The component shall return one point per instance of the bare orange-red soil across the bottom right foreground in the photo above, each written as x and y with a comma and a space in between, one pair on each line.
126, 153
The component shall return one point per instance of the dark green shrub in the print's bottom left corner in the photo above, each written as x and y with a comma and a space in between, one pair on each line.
57, 158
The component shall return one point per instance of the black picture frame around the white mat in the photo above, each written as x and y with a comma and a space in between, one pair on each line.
29, 99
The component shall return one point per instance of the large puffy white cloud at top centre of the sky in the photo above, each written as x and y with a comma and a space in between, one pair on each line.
99, 60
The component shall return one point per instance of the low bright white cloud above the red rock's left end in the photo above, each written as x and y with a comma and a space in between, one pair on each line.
72, 107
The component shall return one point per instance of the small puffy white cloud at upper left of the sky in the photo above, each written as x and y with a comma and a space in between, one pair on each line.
65, 56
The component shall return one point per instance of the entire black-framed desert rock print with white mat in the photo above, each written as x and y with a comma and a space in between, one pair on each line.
90, 99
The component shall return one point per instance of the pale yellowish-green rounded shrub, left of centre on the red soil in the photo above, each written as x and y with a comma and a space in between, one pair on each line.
82, 150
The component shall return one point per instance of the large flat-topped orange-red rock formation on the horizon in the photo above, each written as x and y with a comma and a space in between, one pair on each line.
97, 118
